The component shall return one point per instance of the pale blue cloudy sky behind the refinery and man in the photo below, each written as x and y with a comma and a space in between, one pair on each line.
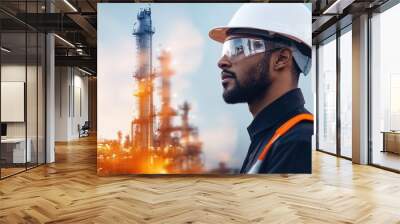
184, 29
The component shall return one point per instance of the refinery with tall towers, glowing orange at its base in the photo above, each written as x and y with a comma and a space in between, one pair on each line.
156, 143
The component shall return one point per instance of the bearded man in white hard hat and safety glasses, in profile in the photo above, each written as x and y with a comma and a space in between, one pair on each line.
265, 48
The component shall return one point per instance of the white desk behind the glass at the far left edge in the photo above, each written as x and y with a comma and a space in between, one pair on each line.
16, 153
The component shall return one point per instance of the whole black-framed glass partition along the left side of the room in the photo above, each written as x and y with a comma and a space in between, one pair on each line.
22, 91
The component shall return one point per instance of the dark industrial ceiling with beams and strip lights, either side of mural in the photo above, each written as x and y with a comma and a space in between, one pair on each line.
76, 22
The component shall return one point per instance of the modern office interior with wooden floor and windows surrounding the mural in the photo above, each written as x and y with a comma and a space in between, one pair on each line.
48, 150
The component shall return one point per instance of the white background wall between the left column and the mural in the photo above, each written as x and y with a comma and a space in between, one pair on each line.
71, 94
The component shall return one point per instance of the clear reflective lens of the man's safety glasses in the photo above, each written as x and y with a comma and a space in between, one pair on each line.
242, 46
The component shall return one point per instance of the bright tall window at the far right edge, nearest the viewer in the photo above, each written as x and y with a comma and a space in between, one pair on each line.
385, 89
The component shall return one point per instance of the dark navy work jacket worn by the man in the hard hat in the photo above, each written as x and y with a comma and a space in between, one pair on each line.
291, 153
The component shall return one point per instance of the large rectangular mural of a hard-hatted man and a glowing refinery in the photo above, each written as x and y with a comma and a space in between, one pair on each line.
167, 104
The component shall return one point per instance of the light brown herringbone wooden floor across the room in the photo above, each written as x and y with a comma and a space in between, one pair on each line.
69, 191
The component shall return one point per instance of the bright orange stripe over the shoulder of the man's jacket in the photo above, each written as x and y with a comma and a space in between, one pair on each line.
283, 129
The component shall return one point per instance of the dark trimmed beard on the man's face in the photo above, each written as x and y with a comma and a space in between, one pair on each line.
252, 88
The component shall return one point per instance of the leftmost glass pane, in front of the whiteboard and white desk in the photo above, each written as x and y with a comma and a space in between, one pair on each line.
13, 109
